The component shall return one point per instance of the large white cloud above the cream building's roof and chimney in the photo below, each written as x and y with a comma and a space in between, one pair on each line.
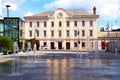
107, 9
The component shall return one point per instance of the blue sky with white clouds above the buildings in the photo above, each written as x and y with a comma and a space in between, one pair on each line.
108, 10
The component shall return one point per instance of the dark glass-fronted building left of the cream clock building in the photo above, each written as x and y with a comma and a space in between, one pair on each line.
13, 27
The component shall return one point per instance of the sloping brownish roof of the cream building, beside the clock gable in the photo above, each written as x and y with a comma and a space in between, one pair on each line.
71, 13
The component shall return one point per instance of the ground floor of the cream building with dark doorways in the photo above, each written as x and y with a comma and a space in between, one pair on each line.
67, 44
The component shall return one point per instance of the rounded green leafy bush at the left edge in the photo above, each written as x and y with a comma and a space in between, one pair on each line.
6, 43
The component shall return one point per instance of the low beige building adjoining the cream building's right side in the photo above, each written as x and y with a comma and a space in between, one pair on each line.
109, 40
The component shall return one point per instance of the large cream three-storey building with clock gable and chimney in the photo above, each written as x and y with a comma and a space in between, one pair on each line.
61, 29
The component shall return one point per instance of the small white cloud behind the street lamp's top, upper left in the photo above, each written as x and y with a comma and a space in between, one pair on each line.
14, 4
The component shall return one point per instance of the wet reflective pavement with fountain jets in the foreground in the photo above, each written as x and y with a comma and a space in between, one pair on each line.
61, 67
